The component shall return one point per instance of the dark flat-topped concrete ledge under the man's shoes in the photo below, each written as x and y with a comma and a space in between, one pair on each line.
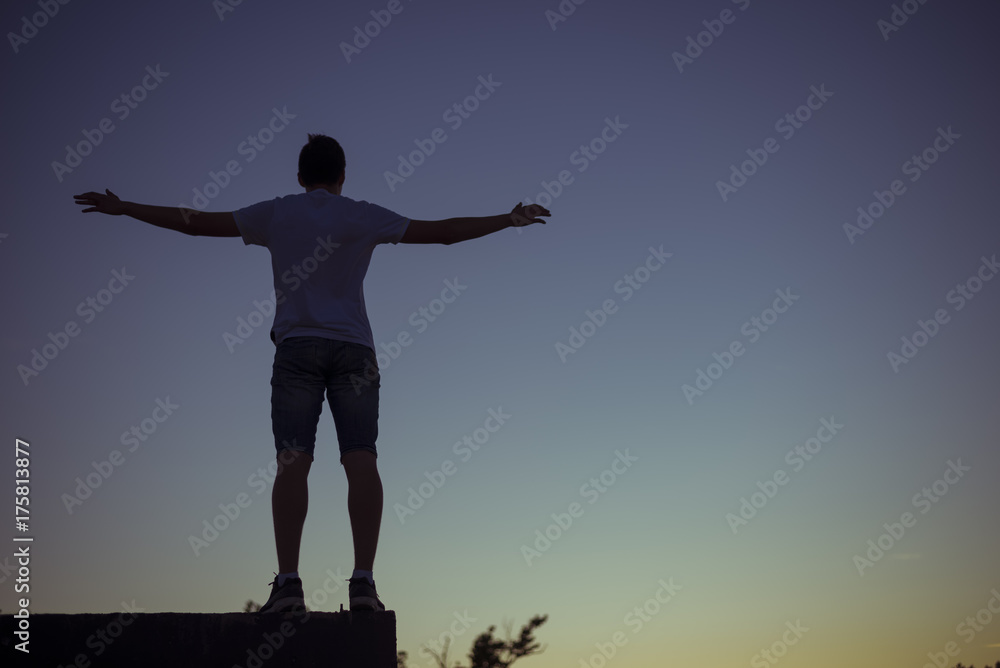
230, 640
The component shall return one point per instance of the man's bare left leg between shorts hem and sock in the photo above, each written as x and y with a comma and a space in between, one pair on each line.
289, 503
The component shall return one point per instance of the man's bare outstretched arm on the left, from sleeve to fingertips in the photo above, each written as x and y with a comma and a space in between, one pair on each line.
181, 219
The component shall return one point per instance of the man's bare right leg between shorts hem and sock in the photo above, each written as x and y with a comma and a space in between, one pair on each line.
364, 504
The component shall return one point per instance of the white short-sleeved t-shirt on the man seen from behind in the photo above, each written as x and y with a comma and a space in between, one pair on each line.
321, 245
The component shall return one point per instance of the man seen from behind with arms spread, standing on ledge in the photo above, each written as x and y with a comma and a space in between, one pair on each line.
321, 244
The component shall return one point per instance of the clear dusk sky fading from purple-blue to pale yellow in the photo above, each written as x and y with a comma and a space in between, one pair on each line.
495, 347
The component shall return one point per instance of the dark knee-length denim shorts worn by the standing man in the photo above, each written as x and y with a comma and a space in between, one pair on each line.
307, 367
